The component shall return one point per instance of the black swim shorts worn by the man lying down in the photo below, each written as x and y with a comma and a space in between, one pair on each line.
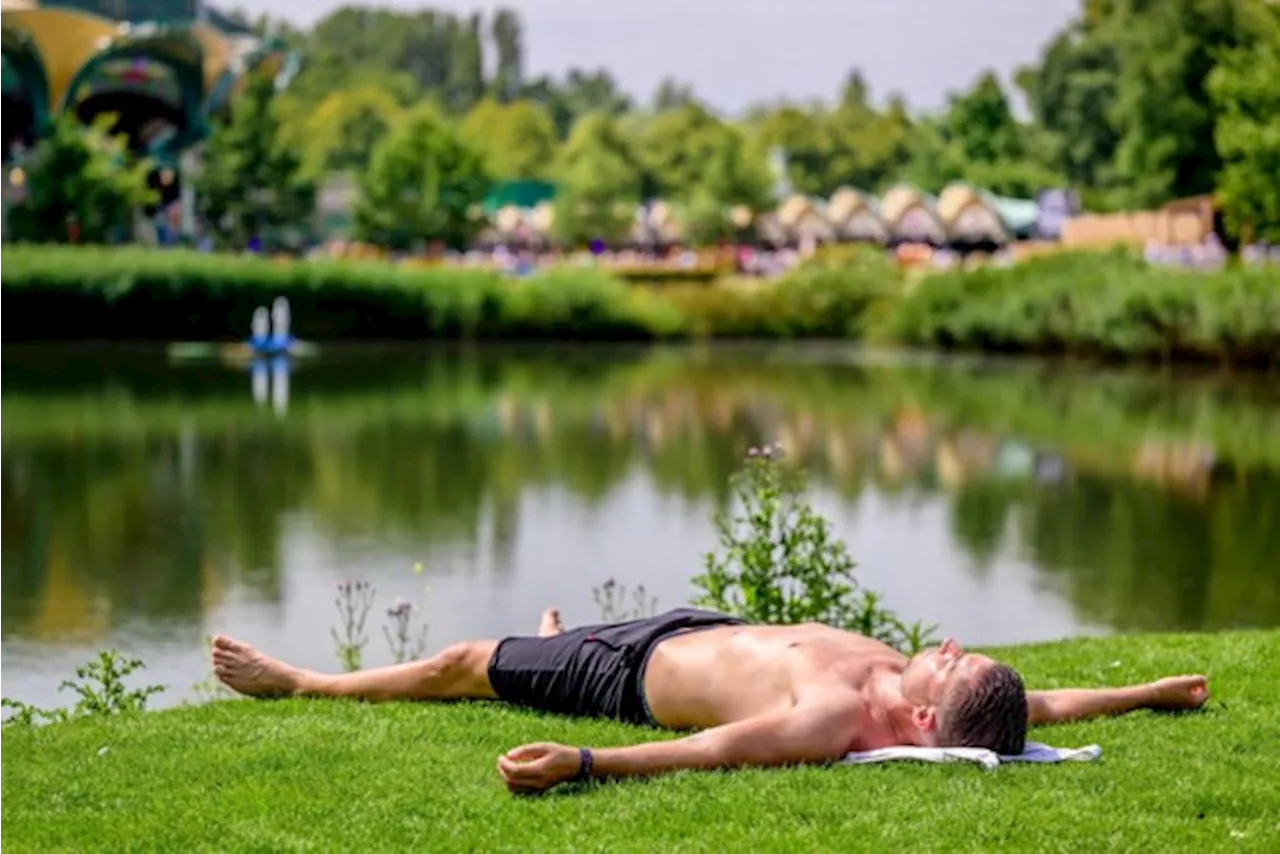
592, 672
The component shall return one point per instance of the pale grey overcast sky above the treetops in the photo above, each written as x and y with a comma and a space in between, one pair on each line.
738, 52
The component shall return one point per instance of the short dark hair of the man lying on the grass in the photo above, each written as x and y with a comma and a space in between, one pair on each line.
989, 713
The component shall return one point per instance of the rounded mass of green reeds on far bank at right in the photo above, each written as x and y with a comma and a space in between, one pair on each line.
1112, 307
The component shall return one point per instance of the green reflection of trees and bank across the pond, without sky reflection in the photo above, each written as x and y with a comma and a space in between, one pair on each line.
131, 491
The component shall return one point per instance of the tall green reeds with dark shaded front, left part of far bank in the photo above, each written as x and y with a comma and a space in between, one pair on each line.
70, 294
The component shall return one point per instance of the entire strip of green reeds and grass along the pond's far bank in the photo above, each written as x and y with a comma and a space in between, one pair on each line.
1095, 305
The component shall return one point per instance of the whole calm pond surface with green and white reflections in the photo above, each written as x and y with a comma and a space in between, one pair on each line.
147, 505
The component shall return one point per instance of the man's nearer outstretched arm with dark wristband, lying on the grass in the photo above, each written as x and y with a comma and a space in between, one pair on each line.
798, 736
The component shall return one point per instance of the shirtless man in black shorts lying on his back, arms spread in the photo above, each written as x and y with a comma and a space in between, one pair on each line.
761, 696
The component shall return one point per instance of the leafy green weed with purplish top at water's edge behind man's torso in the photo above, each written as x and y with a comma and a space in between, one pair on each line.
780, 563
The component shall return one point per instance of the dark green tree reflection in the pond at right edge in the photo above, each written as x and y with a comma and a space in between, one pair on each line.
1133, 556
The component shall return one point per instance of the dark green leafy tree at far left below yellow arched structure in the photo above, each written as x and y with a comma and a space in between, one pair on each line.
83, 186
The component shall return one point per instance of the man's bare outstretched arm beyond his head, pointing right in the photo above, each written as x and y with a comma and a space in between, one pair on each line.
1172, 695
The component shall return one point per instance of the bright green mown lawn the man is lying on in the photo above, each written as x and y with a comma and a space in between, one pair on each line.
336, 777
